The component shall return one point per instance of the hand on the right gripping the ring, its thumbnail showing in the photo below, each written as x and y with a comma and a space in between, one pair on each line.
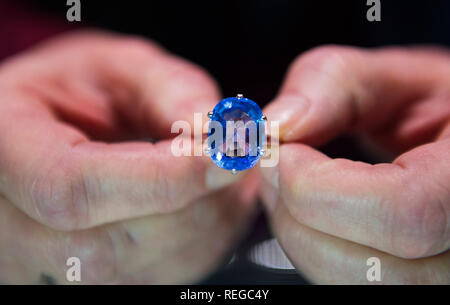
331, 215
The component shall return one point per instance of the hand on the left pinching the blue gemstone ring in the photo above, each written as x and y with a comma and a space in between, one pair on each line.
76, 179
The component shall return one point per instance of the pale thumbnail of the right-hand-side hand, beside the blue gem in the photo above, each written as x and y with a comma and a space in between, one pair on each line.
289, 111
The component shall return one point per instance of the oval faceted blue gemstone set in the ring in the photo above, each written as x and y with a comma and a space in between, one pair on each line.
238, 147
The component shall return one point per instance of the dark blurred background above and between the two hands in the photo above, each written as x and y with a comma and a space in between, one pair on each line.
247, 46
